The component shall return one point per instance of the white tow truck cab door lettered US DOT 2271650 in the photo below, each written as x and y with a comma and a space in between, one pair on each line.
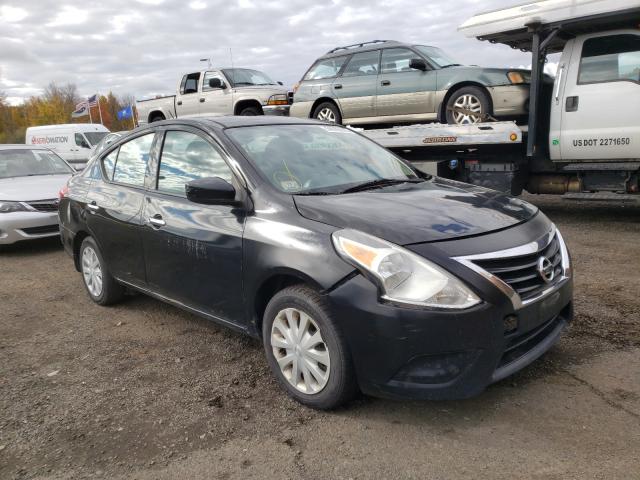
601, 98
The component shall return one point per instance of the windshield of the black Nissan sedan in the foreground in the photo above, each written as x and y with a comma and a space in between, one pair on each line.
318, 159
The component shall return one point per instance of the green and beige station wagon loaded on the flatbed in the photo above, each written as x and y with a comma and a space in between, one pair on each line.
386, 81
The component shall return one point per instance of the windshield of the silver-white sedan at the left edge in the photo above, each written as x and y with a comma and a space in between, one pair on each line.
26, 163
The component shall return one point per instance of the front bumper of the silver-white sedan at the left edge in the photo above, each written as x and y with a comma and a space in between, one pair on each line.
19, 226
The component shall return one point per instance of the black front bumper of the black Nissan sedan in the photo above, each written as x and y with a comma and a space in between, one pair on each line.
401, 352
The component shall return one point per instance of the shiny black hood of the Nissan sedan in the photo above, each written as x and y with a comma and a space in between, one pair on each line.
429, 211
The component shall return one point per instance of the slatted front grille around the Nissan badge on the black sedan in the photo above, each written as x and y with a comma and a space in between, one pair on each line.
521, 273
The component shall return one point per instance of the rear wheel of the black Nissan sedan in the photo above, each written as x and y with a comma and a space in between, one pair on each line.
102, 288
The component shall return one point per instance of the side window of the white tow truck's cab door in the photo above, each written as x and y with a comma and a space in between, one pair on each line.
610, 59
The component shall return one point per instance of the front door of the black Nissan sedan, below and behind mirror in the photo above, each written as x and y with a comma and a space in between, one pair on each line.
193, 252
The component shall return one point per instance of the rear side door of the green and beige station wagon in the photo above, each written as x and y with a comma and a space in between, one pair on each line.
355, 88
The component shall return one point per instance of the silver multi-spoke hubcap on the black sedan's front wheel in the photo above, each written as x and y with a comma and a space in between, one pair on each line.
300, 350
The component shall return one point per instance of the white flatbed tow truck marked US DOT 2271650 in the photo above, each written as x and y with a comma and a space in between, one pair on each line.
583, 139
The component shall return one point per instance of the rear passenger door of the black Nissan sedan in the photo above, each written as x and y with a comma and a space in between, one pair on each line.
114, 207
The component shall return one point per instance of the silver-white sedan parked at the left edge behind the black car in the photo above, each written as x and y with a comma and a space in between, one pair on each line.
30, 179
